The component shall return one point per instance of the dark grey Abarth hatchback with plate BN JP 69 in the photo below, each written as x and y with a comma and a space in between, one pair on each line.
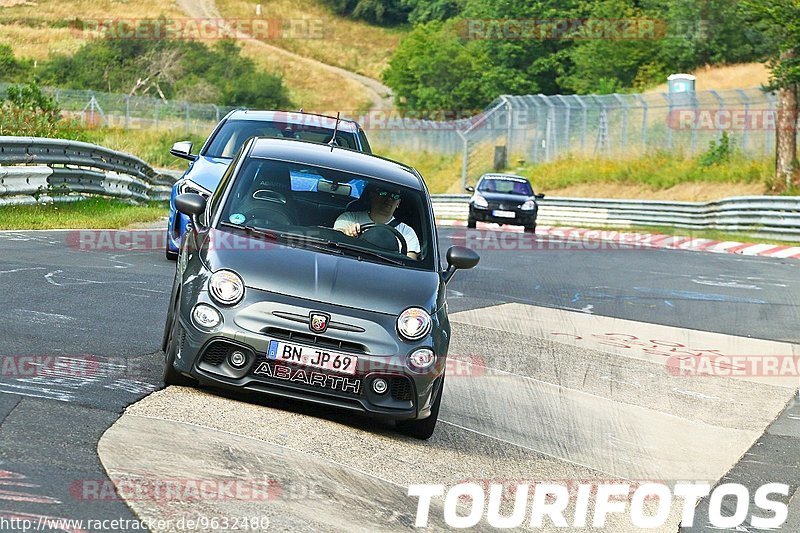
269, 298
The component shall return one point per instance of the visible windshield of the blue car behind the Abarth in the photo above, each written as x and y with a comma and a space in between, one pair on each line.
233, 133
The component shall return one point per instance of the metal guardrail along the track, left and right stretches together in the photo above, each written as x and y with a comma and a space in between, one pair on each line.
35, 169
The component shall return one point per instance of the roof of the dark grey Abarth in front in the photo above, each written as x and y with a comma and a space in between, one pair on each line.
323, 155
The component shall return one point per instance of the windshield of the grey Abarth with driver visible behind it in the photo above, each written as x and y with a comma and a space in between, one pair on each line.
356, 216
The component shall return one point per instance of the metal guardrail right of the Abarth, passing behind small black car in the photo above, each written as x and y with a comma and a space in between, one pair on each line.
776, 217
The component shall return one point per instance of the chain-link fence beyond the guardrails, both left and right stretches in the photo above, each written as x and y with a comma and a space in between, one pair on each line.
513, 130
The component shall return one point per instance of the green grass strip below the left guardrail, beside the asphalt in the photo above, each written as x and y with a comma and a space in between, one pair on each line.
93, 213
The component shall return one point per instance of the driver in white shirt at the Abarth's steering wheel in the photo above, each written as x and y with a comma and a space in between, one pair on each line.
382, 205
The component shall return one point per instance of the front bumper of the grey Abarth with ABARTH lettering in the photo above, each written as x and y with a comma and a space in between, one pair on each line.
251, 325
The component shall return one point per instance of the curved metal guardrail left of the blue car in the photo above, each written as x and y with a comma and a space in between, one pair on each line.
36, 169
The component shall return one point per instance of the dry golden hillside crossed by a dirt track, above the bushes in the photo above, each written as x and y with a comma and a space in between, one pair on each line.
316, 70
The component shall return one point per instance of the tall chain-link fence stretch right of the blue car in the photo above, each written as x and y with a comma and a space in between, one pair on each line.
532, 129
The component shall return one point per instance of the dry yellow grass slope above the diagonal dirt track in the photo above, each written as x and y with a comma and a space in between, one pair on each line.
311, 29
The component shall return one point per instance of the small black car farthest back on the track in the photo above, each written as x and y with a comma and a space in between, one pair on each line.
504, 199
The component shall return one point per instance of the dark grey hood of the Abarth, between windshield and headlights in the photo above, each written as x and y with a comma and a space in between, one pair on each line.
318, 276
